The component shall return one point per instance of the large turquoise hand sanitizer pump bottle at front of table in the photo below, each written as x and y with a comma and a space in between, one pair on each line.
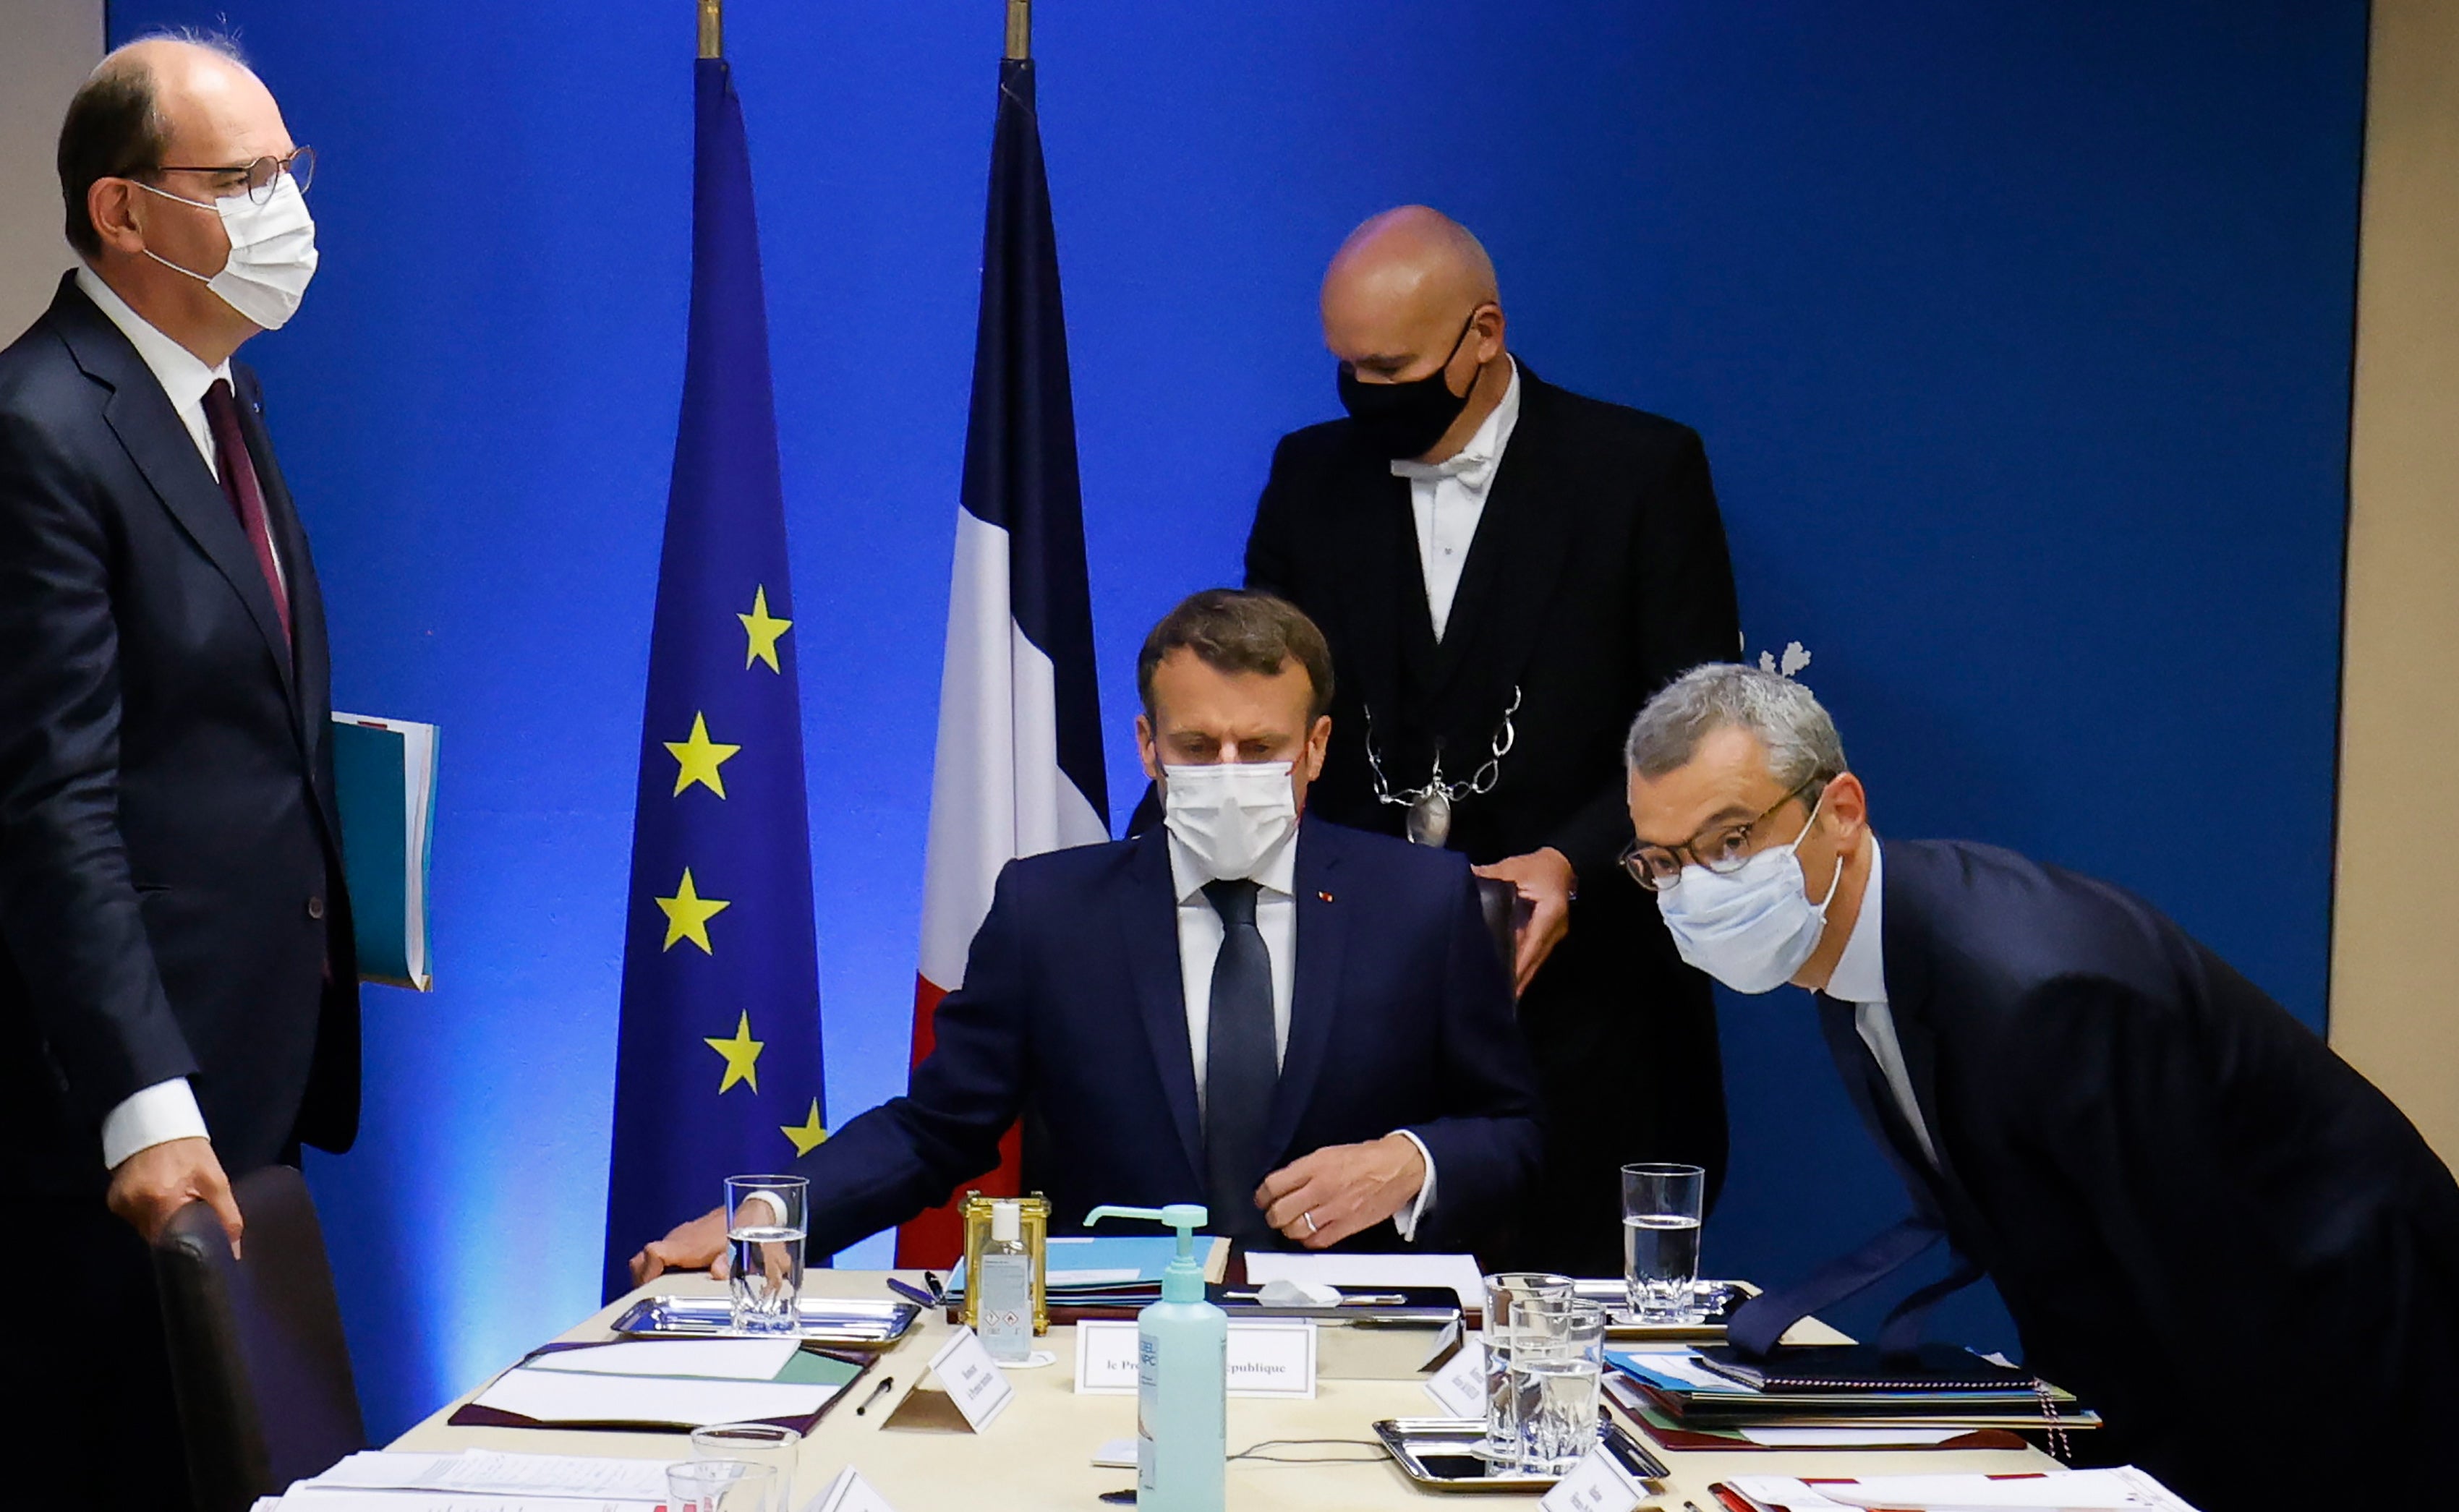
1182, 1380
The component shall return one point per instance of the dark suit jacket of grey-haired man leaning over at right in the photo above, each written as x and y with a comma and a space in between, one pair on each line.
2202, 1221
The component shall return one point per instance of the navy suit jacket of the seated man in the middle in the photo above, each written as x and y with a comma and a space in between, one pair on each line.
1073, 1012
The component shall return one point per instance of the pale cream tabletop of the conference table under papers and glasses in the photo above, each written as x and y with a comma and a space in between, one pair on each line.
1039, 1452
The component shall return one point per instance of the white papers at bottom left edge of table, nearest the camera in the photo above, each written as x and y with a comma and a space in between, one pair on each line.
478, 1481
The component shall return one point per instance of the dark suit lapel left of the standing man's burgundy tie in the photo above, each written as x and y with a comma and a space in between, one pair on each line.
159, 444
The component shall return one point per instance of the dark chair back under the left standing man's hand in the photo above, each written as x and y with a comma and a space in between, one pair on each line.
257, 1346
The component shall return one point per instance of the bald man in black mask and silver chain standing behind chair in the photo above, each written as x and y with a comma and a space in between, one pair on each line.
1506, 574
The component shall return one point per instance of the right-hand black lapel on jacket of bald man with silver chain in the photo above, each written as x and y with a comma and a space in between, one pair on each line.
1514, 562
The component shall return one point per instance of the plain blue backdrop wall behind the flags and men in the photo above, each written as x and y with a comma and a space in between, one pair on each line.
2020, 338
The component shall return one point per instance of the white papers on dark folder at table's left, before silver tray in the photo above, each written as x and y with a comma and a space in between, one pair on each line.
663, 1385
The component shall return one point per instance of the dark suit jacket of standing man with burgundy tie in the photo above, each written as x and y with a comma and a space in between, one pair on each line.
171, 881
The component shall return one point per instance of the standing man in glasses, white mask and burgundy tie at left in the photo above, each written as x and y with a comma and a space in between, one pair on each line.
178, 994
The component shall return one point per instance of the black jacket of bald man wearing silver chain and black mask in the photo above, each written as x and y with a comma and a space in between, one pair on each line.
1597, 577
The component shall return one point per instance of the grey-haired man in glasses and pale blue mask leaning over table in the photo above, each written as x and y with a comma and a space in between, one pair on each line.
2202, 1221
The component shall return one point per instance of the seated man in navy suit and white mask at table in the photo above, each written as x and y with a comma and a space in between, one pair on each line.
1302, 1026
